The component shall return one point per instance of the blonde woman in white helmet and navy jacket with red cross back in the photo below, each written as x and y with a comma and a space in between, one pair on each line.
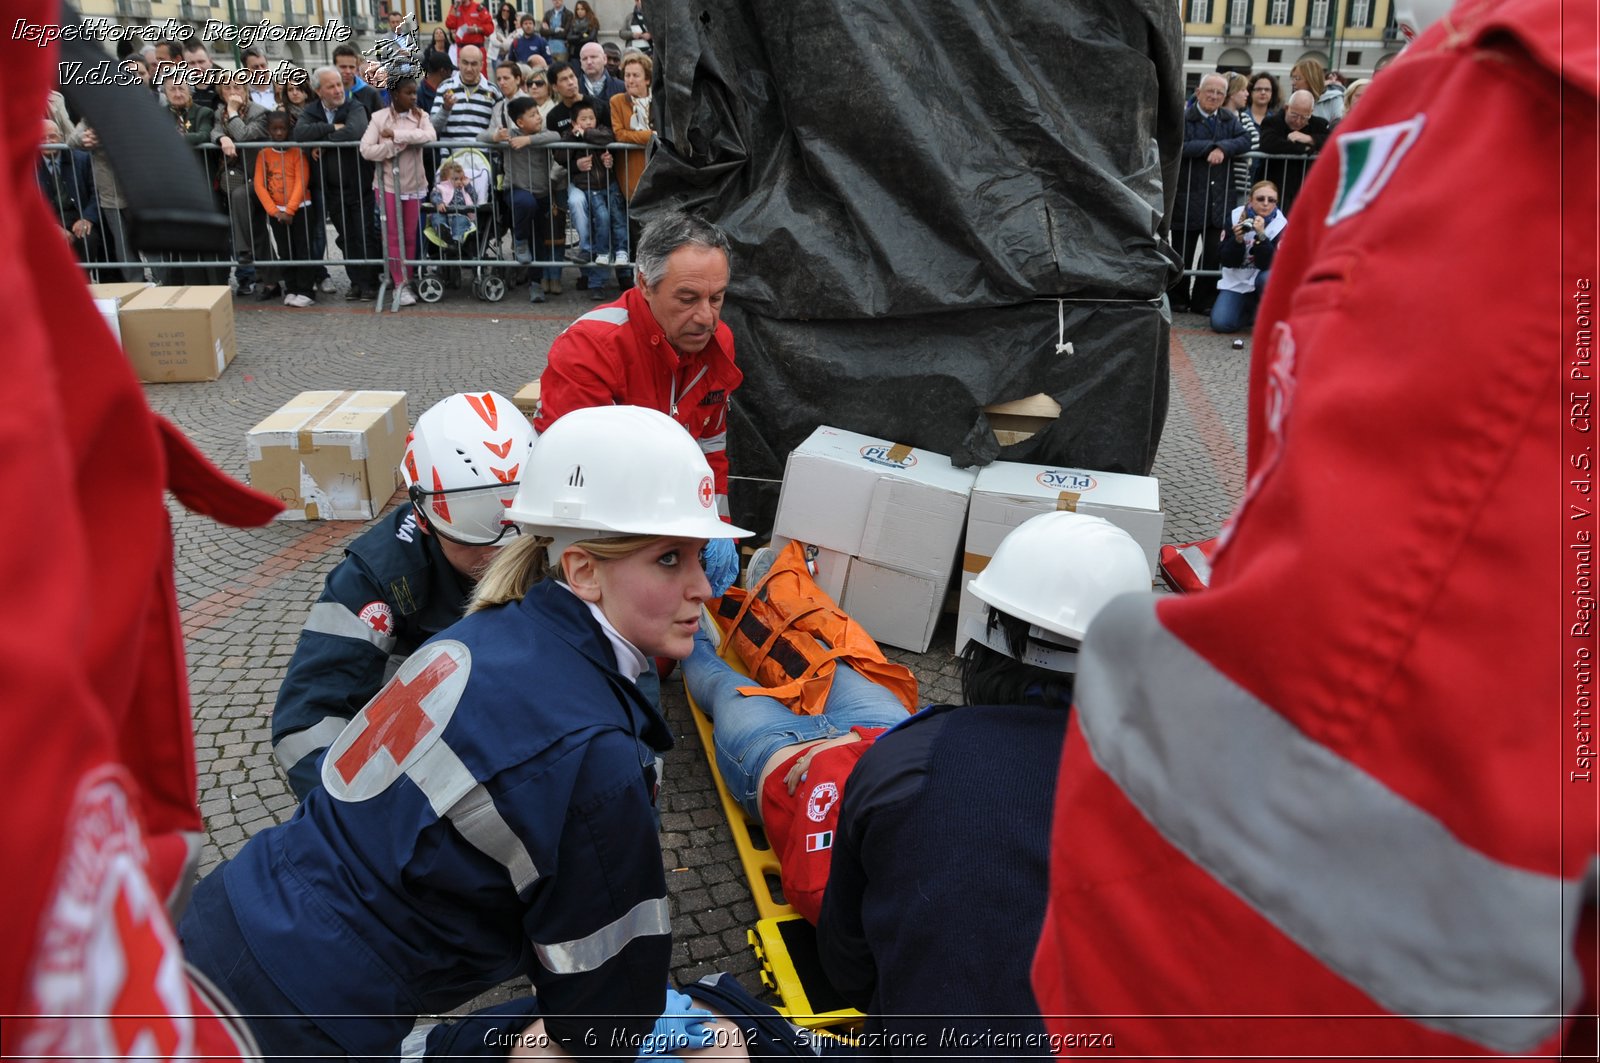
490, 812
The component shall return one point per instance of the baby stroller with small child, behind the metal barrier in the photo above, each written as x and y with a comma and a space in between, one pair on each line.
460, 239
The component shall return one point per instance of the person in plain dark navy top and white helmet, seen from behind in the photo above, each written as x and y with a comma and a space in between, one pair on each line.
940, 873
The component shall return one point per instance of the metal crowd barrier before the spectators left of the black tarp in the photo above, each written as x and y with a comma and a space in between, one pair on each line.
348, 223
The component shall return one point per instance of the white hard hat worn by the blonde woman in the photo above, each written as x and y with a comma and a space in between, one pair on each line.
610, 471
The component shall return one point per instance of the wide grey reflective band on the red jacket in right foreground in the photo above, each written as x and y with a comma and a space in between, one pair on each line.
1366, 881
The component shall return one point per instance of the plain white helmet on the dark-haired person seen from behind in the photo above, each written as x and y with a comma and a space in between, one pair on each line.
1057, 572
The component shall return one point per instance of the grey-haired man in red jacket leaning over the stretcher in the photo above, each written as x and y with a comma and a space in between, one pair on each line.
663, 345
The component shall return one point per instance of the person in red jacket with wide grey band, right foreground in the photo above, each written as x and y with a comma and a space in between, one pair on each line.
1345, 801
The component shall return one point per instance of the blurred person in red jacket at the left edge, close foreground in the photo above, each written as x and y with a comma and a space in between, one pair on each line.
95, 740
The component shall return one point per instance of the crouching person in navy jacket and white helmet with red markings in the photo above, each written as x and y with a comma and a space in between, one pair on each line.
407, 579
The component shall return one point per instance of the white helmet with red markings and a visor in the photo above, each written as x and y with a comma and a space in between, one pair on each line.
463, 463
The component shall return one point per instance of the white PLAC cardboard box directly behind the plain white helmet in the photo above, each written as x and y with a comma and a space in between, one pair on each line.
1007, 494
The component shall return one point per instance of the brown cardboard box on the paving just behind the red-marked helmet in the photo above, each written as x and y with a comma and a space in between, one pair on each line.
332, 455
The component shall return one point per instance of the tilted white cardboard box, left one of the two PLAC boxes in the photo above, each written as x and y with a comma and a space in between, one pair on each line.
897, 513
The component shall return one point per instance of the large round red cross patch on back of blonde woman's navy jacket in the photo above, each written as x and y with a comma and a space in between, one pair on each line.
401, 724
